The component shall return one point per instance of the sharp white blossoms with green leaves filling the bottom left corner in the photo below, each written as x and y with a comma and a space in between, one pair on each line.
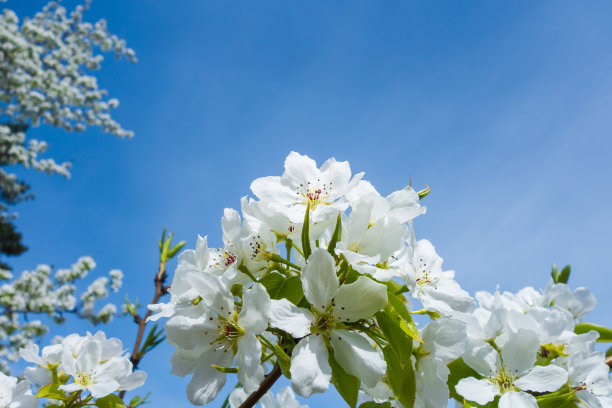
74, 372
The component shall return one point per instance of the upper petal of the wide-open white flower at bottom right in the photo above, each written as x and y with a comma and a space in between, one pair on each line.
519, 353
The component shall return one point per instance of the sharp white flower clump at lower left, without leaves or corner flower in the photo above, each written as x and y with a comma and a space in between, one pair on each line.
83, 363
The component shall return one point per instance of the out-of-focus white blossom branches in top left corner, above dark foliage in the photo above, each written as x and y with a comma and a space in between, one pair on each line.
44, 61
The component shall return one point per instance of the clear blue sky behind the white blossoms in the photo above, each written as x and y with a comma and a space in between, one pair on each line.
503, 108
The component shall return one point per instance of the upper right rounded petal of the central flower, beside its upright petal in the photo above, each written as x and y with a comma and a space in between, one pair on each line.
360, 299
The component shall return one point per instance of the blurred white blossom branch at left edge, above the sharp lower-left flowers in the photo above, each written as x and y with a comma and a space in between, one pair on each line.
38, 293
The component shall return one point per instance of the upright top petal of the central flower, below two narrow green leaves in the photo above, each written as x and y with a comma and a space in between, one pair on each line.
319, 279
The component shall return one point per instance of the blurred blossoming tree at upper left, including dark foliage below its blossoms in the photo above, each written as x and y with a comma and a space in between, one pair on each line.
46, 65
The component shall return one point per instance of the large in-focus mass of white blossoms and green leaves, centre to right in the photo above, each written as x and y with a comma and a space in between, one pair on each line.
314, 279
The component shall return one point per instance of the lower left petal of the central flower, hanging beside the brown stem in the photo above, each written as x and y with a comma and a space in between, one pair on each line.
310, 370
